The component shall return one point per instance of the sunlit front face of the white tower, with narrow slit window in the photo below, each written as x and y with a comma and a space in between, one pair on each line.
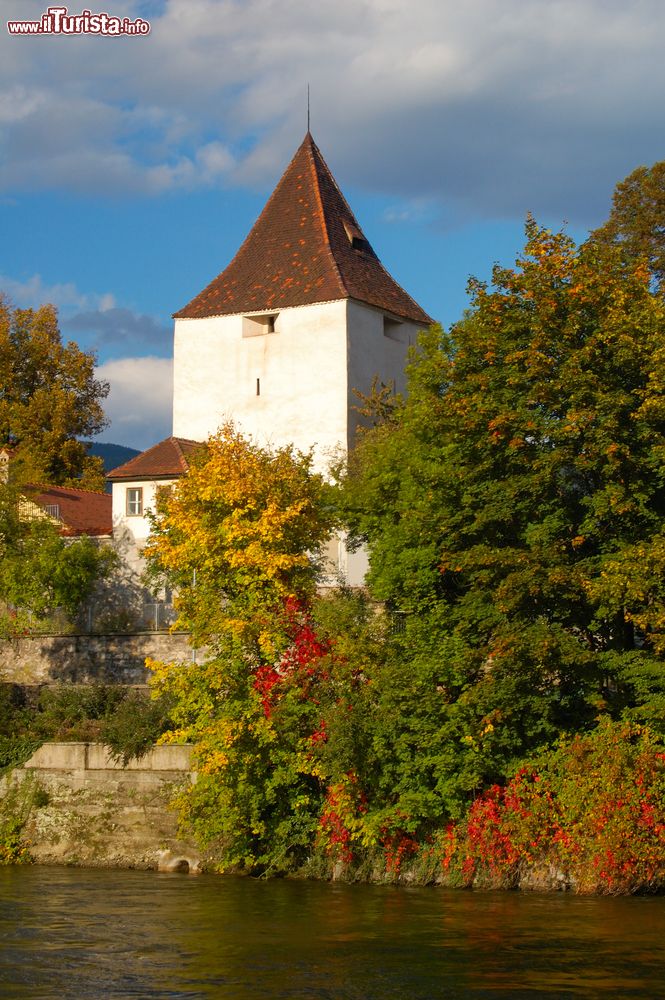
282, 387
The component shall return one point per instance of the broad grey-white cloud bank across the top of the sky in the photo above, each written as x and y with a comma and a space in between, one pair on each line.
496, 106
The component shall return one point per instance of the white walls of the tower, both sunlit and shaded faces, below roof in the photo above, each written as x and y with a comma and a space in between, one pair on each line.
291, 386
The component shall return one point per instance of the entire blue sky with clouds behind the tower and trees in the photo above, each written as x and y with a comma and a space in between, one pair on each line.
131, 168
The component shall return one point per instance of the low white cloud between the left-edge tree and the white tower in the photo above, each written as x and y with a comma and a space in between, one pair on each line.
140, 402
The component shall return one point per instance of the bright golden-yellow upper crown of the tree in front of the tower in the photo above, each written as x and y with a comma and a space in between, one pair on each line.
239, 536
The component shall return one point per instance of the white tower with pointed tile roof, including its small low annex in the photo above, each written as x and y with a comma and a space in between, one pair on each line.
280, 342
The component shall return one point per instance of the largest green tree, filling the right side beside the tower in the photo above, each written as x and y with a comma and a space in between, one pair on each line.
513, 509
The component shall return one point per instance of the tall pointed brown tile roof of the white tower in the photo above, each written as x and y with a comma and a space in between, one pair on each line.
305, 247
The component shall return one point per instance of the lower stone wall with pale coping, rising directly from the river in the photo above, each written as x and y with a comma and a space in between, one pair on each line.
85, 809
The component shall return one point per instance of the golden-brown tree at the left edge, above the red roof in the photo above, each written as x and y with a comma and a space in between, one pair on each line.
49, 399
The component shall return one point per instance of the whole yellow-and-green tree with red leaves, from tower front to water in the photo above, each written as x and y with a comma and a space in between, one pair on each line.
238, 538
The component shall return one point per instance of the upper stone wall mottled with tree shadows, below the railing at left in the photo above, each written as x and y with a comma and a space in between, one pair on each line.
115, 658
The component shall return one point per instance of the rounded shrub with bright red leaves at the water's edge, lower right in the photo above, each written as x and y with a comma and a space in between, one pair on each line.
589, 814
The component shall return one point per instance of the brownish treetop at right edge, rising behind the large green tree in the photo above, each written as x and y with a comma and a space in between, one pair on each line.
637, 220
